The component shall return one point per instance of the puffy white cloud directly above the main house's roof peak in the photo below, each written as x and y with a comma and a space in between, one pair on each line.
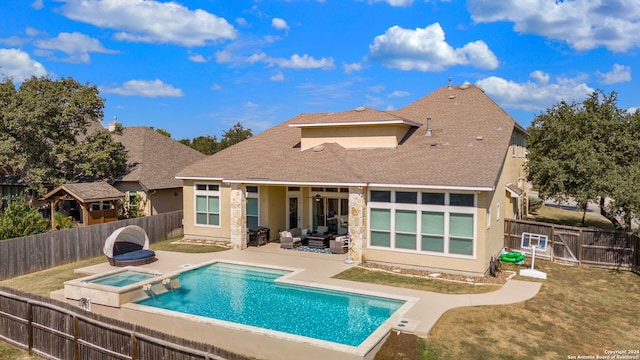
426, 50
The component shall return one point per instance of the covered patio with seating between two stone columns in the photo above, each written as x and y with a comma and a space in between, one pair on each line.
316, 214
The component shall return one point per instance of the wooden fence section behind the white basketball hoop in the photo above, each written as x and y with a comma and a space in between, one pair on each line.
585, 246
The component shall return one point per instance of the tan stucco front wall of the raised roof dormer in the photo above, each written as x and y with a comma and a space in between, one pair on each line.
354, 137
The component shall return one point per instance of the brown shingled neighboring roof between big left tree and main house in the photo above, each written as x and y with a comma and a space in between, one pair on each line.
154, 159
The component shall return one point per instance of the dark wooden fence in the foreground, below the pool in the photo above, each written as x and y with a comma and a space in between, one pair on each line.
56, 330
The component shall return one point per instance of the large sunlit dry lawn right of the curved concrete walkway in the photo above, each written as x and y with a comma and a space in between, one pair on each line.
578, 311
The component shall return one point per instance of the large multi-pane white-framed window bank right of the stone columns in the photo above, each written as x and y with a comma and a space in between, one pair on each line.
423, 222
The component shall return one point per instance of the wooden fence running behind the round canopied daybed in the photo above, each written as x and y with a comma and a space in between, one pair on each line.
24, 255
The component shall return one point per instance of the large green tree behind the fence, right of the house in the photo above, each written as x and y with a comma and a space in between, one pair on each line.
588, 152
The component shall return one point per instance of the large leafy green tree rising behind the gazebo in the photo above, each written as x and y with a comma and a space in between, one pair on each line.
43, 133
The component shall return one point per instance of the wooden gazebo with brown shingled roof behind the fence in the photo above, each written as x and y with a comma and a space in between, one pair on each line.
89, 203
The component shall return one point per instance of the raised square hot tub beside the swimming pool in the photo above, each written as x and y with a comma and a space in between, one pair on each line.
128, 284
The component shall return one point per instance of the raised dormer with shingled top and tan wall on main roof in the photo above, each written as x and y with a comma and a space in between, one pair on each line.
362, 128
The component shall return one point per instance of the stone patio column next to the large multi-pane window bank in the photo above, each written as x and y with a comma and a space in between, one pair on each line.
357, 221
